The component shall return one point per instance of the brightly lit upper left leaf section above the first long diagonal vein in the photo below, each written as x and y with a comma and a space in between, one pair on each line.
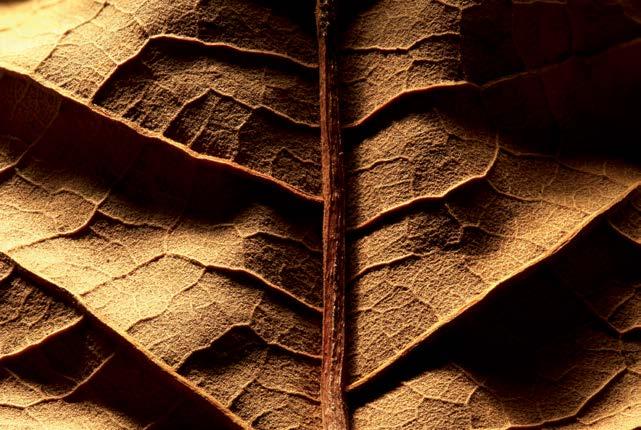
213, 75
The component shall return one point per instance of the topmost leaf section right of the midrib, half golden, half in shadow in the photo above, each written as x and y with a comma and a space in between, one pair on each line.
391, 47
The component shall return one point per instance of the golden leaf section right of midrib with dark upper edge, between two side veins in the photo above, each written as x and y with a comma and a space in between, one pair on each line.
431, 241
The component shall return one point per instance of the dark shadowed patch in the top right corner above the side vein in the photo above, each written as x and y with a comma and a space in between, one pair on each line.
500, 38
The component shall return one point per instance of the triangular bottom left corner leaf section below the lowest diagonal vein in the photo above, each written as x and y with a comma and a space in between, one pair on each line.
69, 373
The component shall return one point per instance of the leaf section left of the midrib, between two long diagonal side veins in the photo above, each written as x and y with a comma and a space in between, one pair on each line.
149, 267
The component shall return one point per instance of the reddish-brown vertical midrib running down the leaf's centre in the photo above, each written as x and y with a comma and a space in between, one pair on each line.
333, 408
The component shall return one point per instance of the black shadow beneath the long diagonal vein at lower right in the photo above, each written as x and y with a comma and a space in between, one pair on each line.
539, 344
